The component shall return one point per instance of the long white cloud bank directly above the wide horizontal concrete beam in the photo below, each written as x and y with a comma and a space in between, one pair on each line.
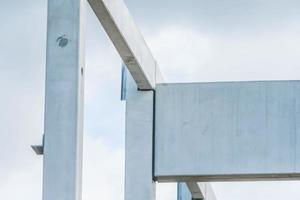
186, 54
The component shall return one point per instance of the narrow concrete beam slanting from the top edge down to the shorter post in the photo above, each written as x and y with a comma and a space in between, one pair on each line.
130, 44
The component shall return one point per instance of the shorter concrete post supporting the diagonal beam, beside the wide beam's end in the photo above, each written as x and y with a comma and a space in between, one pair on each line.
139, 182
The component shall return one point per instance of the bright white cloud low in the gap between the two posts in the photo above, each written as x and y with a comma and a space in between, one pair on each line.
103, 171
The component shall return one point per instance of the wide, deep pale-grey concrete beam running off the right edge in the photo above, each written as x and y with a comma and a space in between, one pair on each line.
233, 130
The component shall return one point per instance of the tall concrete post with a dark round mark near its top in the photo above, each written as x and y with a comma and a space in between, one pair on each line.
64, 101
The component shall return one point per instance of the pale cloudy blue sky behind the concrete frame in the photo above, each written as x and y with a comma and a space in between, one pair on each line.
192, 40
